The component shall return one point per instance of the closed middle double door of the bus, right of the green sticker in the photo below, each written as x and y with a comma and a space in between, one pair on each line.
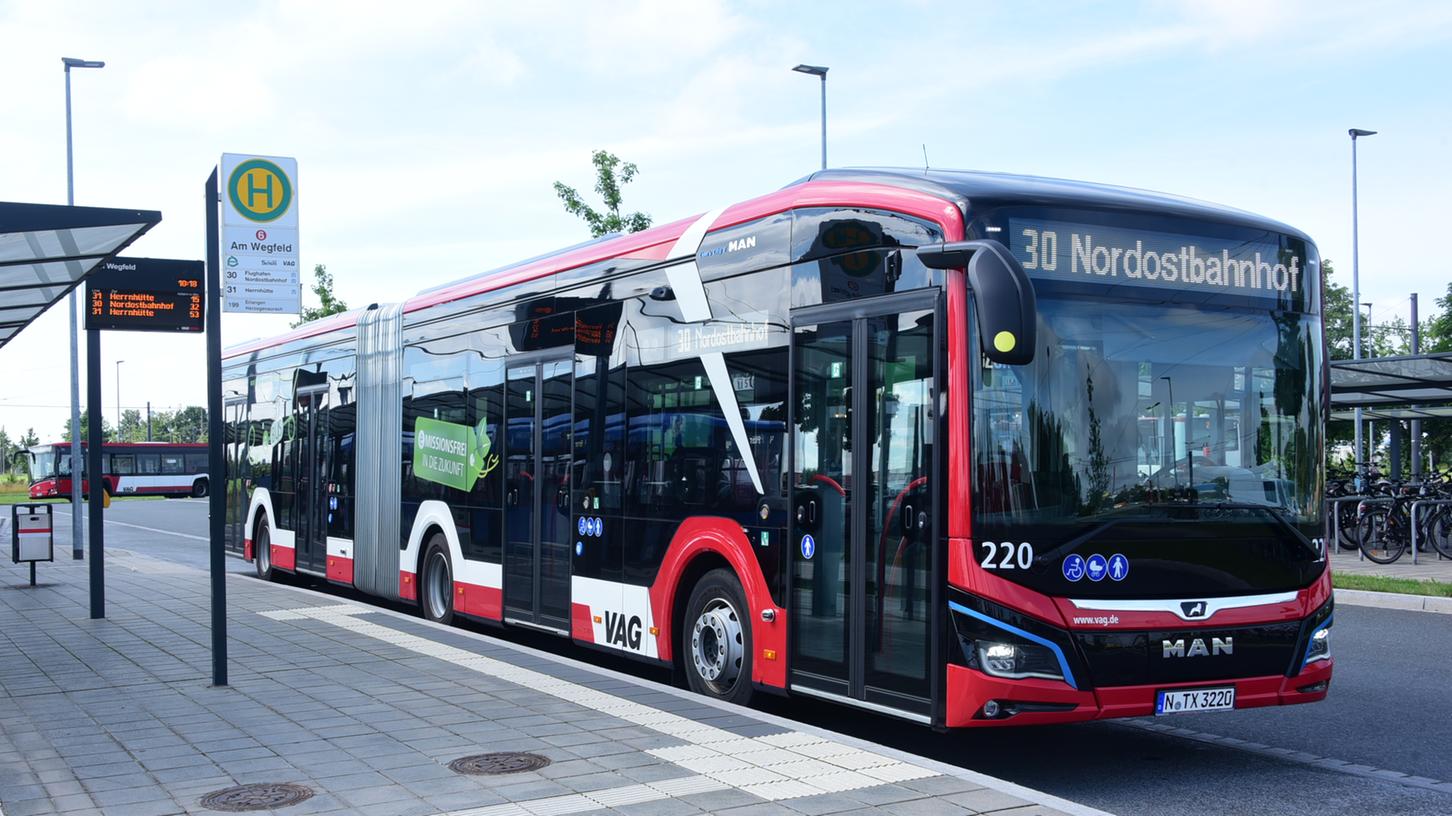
537, 494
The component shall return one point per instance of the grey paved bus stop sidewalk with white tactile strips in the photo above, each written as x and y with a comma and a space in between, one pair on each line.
368, 709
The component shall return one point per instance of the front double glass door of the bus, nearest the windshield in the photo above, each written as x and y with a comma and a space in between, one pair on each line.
863, 545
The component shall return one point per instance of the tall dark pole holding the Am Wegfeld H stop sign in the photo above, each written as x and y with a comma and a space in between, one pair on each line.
217, 470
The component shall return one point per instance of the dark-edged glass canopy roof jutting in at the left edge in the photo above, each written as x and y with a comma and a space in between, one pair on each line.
47, 250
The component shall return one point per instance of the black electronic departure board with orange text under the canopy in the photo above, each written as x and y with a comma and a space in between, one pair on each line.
146, 295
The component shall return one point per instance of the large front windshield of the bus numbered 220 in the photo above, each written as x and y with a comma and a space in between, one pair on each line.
1130, 409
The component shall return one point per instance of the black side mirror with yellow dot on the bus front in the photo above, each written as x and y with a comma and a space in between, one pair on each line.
1003, 297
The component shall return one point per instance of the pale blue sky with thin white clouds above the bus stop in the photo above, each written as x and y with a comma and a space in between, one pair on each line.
429, 134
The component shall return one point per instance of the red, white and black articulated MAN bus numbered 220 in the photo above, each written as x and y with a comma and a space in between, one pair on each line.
960, 448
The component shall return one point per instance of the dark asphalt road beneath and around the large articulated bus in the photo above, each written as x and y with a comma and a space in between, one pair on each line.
1380, 744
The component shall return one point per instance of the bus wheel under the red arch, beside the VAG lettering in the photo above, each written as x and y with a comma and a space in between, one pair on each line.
717, 645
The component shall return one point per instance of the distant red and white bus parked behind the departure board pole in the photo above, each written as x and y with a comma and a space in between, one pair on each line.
140, 468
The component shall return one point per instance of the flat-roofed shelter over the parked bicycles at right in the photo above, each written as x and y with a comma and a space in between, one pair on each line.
1395, 390
